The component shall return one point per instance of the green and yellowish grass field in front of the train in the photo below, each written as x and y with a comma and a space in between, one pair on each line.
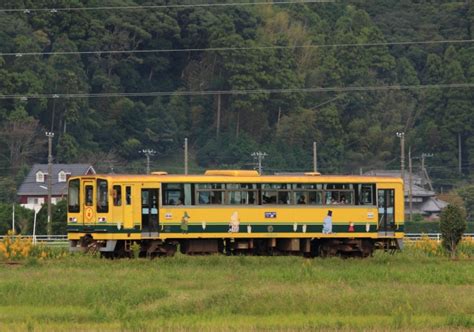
404, 291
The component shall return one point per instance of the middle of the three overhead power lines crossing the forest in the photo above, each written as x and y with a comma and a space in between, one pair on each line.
216, 49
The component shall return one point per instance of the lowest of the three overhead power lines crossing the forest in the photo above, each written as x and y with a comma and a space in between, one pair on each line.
240, 92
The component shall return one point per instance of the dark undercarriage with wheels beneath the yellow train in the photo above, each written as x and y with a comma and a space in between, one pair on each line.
341, 247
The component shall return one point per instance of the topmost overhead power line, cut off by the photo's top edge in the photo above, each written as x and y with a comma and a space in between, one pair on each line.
148, 7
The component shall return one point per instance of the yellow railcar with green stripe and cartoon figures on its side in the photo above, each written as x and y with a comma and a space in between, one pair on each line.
235, 212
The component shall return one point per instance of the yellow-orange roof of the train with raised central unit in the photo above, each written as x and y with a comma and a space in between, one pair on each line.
246, 177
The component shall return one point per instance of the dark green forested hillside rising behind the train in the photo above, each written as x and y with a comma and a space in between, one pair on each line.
227, 49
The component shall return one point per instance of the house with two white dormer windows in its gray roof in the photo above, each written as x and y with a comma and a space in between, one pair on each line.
33, 192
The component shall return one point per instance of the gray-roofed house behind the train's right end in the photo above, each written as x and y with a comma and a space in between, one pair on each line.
424, 201
